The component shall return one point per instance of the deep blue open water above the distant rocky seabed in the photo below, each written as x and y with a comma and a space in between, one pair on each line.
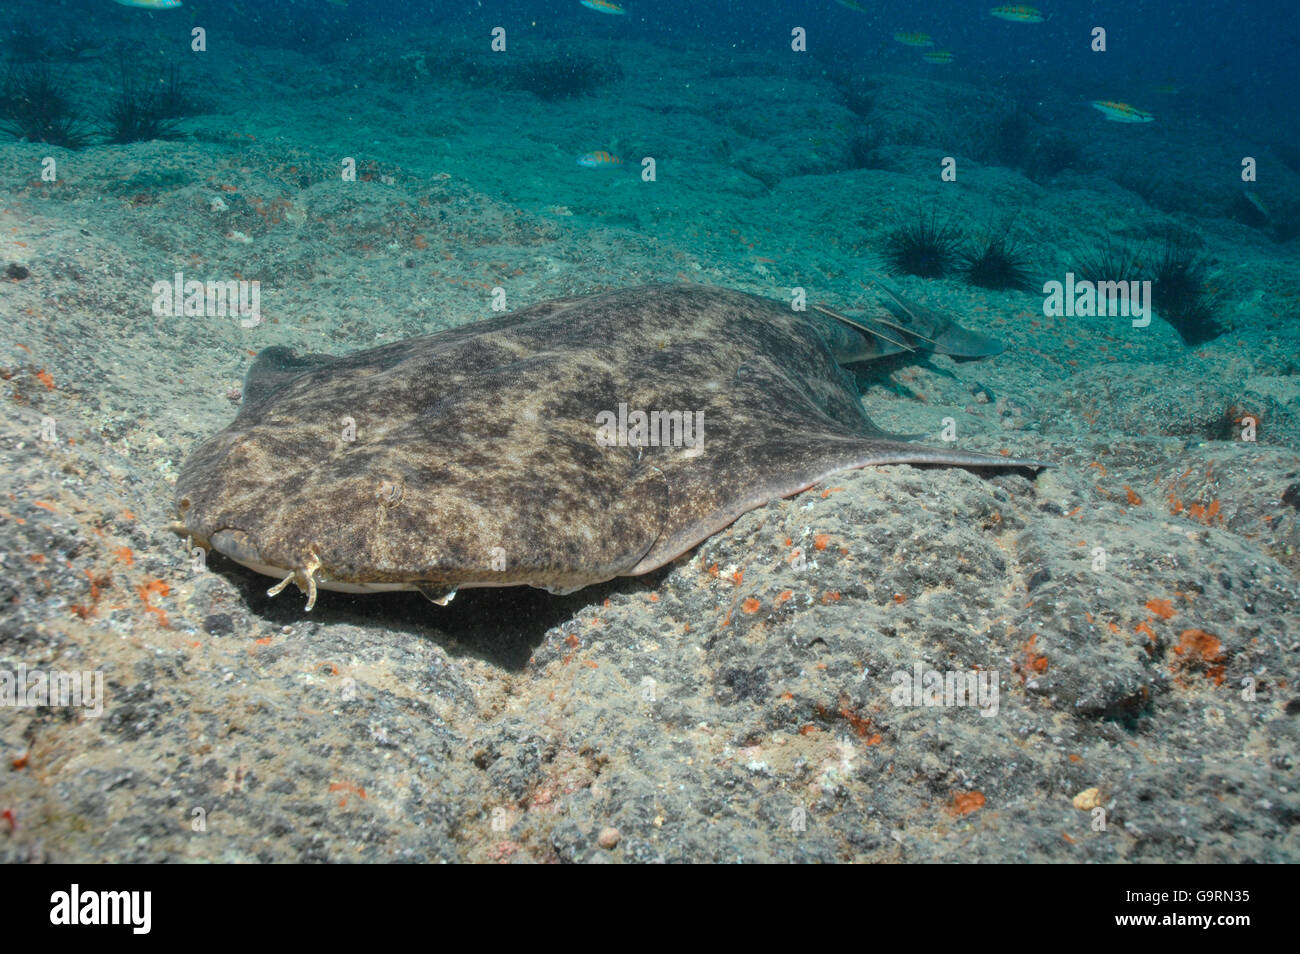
1242, 53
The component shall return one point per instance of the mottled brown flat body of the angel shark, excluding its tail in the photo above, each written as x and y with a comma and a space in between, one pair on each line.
484, 437
